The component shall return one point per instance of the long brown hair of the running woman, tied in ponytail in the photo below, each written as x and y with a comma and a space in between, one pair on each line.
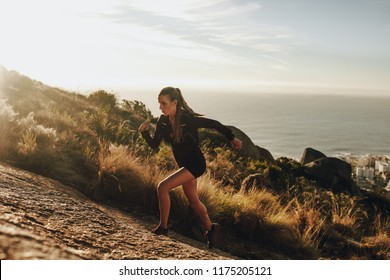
181, 107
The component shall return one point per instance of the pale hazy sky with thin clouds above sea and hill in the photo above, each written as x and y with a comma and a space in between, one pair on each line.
251, 46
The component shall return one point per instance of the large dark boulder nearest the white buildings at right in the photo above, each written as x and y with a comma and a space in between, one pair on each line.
332, 173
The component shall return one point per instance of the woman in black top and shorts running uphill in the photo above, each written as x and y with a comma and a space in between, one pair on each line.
178, 126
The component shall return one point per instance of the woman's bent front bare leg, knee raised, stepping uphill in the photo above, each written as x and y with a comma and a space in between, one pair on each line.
174, 180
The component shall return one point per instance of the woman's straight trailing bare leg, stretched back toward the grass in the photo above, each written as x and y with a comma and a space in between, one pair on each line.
190, 190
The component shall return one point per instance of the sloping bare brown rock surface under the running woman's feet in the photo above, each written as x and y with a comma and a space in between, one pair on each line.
43, 219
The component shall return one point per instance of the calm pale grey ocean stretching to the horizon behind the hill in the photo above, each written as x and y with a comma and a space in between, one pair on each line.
287, 124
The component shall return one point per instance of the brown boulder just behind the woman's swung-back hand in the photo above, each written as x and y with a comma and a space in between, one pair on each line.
249, 149
